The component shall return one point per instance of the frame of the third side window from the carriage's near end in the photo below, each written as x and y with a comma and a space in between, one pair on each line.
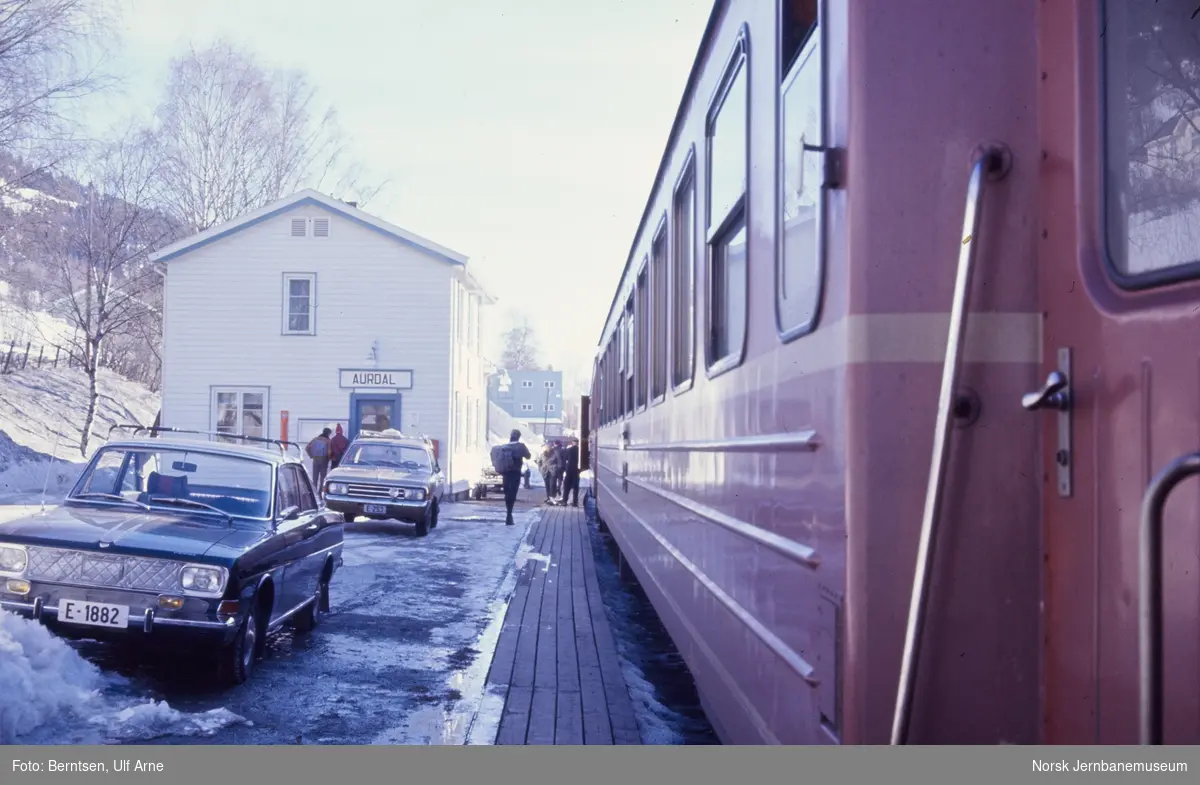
686, 183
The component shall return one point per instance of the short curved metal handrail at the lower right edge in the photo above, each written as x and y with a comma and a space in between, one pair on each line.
1150, 579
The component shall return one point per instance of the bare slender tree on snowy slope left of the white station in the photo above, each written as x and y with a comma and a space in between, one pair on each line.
105, 278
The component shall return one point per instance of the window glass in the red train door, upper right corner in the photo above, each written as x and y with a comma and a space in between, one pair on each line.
1153, 141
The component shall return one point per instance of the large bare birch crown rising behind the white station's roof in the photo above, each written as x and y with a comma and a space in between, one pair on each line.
236, 135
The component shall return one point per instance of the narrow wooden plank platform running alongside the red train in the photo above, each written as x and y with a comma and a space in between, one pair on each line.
556, 660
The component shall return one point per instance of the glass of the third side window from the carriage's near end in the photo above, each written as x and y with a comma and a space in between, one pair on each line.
683, 265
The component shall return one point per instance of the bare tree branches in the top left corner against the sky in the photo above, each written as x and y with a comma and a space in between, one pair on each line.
50, 57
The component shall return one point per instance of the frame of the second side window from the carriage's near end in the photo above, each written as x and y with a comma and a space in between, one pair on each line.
737, 67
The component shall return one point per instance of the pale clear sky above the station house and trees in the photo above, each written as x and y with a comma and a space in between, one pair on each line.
525, 135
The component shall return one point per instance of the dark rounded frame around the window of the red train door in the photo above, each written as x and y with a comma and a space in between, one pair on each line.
1157, 279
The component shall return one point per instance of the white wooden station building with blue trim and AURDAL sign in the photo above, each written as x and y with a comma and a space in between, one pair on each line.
311, 314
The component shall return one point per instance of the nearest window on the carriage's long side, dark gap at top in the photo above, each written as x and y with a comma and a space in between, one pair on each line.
799, 278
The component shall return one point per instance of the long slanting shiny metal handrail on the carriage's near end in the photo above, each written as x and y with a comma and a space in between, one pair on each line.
993, 163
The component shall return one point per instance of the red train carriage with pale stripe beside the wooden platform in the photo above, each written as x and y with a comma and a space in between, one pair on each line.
827, 438
